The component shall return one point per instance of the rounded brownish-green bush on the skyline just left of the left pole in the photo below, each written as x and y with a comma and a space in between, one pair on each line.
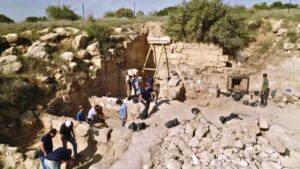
61, 12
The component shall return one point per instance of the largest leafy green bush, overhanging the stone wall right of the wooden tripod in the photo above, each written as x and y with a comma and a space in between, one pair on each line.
209, 21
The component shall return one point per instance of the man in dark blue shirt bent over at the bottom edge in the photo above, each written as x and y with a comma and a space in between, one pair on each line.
55, 158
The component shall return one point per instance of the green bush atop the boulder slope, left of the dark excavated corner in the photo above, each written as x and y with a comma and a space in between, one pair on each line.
99, 32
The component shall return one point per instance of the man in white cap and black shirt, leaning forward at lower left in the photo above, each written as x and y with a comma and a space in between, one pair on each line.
67, 135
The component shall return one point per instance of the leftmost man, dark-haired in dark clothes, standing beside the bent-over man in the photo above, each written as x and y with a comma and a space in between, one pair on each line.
46, 145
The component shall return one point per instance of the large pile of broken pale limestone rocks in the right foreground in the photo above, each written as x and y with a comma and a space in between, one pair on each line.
236, 144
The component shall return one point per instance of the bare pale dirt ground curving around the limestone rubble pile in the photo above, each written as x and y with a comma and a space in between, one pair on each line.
144, 142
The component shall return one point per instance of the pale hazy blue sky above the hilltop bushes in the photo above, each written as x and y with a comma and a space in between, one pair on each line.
18, 10
